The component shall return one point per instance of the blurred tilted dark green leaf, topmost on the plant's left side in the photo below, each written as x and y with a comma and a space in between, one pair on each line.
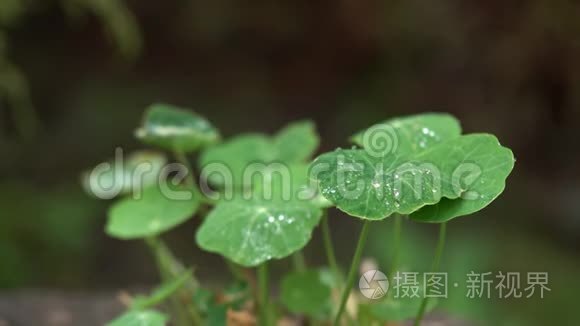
176, 129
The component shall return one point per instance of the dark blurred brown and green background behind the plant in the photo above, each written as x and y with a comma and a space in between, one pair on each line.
76, 75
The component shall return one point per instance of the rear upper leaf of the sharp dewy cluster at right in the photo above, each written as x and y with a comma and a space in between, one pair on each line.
412, 134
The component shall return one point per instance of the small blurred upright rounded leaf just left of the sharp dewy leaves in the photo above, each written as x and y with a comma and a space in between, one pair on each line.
296, 142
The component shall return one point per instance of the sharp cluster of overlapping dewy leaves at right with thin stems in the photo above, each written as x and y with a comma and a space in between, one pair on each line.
420, 166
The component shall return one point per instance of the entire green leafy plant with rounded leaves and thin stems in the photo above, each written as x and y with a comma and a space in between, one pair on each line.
264, 197
